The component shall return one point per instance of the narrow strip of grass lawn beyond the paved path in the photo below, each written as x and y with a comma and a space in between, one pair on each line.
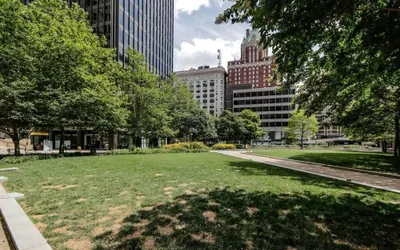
361, 160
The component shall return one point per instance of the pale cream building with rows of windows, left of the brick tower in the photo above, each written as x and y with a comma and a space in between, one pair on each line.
208, 87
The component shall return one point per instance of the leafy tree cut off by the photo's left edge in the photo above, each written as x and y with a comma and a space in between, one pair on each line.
18, 113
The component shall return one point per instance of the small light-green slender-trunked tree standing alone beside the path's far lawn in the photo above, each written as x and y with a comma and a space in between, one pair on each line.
306, 126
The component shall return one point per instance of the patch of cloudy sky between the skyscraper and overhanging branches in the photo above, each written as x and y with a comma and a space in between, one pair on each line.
197, 37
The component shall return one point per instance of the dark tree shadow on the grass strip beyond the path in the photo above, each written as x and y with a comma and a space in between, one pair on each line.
368, 161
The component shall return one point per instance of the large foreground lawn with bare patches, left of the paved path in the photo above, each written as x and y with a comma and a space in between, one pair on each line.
199, 201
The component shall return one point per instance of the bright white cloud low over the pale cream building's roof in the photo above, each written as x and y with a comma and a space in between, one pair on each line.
204, 52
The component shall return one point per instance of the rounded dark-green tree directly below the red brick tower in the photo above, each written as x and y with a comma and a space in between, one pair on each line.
250, 126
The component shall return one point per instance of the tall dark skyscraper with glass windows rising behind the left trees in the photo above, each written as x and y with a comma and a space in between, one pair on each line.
145, 25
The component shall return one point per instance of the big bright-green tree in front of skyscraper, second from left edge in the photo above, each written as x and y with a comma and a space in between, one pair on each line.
75, 88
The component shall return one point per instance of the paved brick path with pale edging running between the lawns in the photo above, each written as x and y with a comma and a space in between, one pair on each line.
370, 180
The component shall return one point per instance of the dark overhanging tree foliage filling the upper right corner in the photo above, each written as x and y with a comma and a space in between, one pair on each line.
339, 51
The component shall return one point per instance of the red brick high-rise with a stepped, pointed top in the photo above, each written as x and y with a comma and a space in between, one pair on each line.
254, 67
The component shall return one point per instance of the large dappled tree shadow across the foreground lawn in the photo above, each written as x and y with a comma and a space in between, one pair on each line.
225, 219
